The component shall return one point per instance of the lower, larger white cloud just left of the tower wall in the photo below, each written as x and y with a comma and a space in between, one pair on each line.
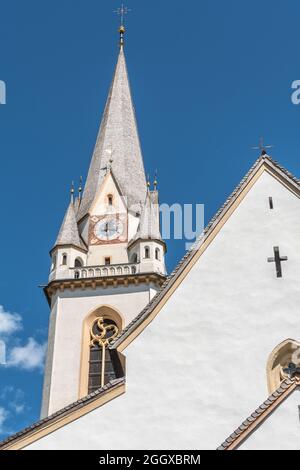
28, 357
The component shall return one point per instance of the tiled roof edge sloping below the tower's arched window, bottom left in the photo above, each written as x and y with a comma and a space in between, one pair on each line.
64, 411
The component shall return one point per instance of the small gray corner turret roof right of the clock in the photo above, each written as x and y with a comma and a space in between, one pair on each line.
149, 223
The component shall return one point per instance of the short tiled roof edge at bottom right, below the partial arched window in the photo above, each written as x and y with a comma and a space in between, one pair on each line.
263, 409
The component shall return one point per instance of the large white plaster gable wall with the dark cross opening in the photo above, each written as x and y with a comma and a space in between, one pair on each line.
199, 368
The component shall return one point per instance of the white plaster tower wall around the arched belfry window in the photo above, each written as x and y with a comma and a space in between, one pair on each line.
69, 309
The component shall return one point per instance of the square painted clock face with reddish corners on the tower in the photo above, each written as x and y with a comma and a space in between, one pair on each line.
108, 229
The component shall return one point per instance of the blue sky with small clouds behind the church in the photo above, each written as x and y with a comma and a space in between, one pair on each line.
208, 78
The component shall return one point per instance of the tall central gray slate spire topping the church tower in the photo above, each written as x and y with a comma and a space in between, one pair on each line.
117, 140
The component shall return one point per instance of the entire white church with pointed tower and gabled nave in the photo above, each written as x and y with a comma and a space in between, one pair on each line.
206, 357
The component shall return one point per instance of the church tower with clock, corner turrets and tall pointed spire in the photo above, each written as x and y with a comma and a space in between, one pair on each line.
108, 259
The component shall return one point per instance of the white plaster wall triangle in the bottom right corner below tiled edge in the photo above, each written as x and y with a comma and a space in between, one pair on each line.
280, 431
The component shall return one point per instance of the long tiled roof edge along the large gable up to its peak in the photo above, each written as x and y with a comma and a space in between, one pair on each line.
193, 250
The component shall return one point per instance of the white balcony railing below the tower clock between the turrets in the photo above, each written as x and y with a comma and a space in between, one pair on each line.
104, 271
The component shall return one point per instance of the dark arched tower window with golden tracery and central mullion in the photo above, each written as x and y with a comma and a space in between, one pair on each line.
104, 364
